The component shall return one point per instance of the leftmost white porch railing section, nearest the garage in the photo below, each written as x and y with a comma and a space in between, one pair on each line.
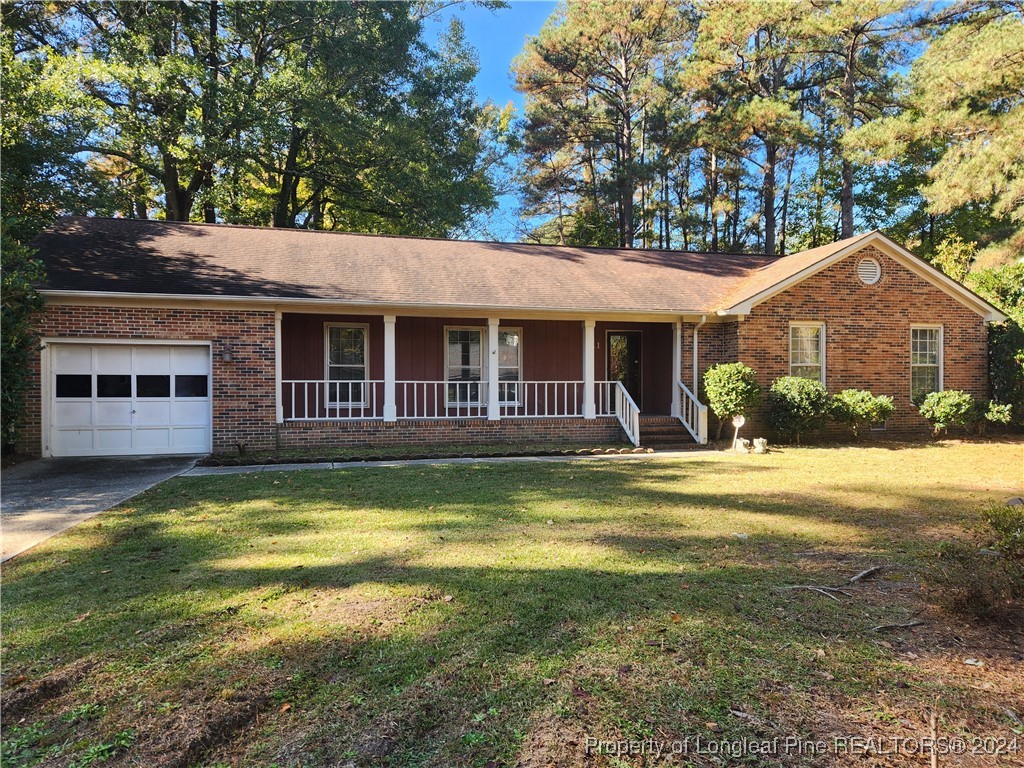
317, 400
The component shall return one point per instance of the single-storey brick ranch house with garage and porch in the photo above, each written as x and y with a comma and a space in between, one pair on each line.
163, 338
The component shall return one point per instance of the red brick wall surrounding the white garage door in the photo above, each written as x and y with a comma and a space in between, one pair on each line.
243, 390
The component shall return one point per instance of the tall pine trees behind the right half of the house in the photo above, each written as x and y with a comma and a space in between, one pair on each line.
741, 125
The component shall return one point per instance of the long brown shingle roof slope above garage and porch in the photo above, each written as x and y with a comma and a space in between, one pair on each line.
174, 259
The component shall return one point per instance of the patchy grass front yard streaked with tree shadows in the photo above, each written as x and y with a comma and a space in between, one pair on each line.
501, 615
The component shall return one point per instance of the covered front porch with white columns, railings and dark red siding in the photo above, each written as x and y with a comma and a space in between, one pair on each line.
416, 378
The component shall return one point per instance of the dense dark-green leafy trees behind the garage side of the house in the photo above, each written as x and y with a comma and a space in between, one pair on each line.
321, 115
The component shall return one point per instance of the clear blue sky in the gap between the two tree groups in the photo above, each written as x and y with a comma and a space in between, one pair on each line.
498, 37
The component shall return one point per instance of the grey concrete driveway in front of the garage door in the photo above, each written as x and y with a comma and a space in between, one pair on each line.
42, 498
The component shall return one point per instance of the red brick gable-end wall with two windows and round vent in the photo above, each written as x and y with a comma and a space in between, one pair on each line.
868, 334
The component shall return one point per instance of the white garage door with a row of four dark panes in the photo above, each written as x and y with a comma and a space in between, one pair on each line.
118, 400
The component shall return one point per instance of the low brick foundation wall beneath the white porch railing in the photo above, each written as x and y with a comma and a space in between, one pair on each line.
450, 433
